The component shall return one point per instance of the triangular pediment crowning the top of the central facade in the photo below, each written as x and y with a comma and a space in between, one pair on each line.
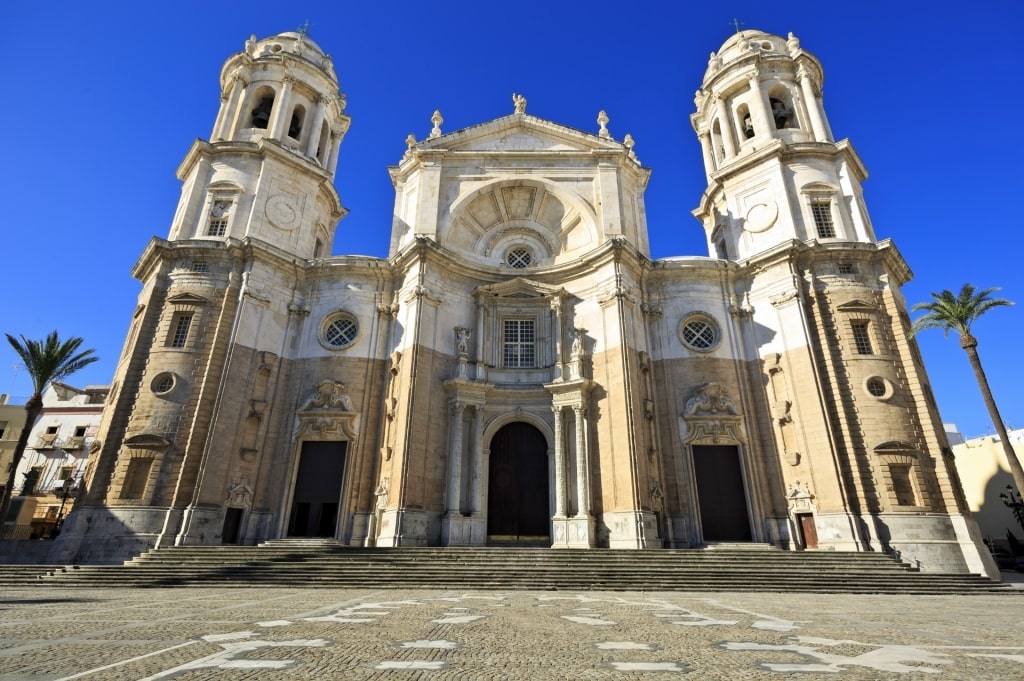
520, 133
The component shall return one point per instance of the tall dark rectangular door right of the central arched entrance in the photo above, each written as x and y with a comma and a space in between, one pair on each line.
720, 494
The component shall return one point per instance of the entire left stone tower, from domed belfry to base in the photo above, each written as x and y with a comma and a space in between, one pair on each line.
221, 297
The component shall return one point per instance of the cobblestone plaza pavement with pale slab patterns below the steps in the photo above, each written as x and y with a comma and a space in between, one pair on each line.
286, 634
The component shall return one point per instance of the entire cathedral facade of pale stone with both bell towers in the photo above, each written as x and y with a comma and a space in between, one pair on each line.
519, 371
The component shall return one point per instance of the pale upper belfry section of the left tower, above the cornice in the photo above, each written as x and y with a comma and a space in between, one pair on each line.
267, 173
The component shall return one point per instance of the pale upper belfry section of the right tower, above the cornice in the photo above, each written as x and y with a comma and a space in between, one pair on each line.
775, 172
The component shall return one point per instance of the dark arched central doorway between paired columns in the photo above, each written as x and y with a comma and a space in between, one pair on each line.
518, 487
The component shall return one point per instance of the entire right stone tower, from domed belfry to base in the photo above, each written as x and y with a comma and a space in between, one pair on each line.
866, 465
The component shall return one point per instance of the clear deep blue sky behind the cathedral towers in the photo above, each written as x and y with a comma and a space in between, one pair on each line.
102, 102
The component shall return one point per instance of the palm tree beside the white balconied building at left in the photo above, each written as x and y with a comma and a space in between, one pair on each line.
47, 361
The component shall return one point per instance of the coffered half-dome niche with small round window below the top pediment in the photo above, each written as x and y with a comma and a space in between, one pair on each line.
492, 223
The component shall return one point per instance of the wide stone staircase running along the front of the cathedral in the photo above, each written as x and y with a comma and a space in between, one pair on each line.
289, 564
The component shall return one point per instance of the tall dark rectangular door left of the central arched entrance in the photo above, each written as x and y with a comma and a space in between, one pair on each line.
318, 490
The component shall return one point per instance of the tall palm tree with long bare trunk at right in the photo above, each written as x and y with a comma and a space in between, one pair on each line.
957, 313
